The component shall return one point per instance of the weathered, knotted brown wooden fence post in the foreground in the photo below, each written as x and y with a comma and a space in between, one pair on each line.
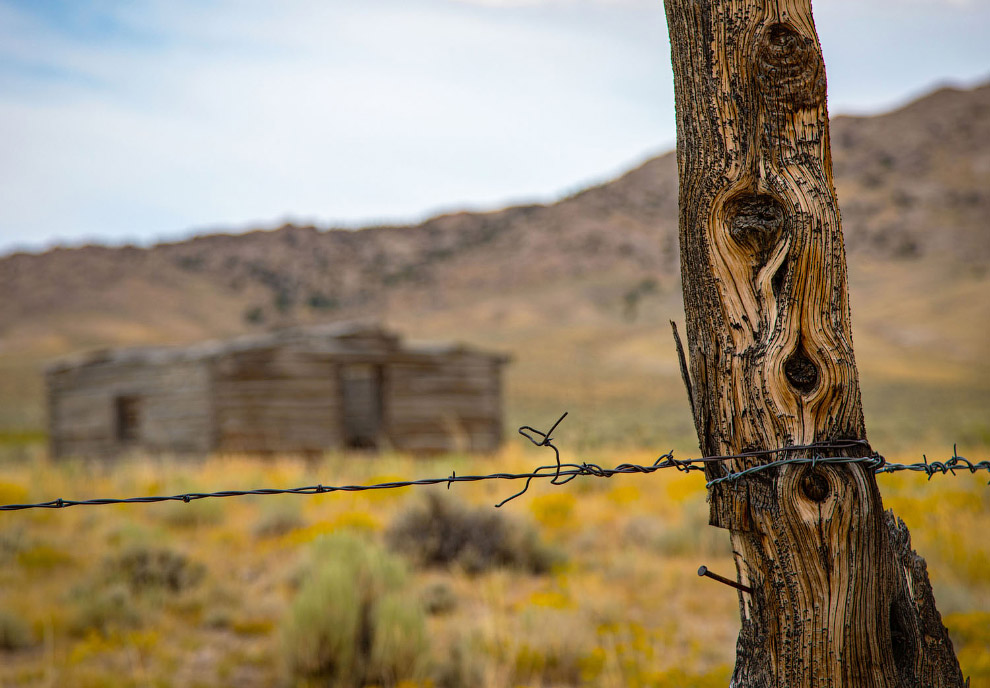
839, 598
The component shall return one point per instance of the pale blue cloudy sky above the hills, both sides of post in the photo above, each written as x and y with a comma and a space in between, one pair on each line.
127, 121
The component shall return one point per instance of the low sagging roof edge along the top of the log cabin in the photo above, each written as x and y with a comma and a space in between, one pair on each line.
347, 337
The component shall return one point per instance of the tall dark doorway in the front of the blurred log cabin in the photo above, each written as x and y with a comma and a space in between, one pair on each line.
363, 404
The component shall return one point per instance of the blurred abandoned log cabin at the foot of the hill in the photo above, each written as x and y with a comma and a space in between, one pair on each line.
296, 390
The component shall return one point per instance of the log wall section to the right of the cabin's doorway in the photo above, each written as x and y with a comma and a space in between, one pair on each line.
444, 403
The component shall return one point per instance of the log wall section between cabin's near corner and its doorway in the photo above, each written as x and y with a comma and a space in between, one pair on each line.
276, 400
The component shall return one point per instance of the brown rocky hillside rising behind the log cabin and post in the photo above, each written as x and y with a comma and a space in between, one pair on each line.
579, 290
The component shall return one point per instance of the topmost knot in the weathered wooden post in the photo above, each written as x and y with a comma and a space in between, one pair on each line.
790, 68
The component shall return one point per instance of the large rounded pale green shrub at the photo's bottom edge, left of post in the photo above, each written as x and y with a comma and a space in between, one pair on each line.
353, 621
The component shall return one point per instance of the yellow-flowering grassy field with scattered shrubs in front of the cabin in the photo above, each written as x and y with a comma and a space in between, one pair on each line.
215, 592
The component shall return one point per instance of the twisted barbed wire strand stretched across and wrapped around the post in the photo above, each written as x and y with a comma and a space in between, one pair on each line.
561, 473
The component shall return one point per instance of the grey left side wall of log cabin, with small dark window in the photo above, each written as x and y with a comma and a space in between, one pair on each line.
168, 406
